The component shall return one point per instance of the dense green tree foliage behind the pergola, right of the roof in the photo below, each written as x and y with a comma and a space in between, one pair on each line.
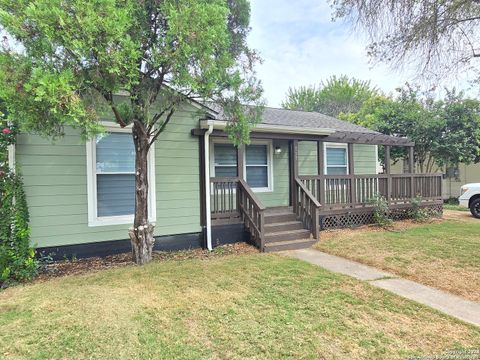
445, 132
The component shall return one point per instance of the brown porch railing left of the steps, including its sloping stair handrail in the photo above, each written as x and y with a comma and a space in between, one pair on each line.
232, 200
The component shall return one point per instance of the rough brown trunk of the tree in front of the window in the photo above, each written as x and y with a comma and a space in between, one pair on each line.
141, 234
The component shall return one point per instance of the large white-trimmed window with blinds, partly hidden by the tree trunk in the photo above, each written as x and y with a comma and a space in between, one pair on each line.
111, 178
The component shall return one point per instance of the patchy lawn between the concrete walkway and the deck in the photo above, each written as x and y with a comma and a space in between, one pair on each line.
443, 254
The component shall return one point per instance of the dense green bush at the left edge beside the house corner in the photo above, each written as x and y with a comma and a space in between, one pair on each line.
17, 257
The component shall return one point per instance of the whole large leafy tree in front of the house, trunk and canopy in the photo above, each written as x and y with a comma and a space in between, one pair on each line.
71, 57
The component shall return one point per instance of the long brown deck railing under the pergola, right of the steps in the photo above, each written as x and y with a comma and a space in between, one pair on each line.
340, 191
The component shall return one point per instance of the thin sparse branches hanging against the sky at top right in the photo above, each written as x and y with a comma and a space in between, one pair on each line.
437, 37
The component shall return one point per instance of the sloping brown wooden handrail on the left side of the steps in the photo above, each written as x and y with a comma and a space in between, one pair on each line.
252, 211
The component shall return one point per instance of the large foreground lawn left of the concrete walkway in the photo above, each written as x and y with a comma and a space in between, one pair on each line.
252, 306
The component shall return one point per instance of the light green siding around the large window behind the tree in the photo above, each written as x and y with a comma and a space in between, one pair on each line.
55, 179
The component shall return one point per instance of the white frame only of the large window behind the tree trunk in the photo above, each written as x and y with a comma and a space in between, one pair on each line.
93, 218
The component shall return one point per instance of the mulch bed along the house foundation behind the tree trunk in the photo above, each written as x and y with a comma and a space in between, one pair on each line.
82, 266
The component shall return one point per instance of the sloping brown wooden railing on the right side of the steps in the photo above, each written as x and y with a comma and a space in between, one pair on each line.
307, 208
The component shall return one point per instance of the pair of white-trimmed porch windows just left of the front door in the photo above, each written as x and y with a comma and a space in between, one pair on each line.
257, 163
